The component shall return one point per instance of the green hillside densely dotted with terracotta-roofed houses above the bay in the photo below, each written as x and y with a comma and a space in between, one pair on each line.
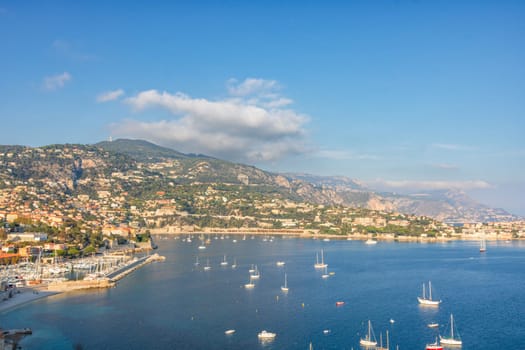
75, 200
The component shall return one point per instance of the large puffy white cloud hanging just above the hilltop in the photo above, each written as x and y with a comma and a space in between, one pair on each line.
241, 127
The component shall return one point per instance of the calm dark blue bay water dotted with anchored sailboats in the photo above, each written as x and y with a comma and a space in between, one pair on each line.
177, 304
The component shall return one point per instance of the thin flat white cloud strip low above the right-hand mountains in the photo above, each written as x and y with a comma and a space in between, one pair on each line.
429, 185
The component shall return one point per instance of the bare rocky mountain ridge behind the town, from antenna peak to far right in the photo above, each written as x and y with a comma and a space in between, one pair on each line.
448, 206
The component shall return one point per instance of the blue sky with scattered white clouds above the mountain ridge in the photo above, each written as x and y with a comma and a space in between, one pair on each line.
404, 96
